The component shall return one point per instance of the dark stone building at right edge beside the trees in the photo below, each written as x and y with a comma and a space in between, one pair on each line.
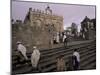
88, 28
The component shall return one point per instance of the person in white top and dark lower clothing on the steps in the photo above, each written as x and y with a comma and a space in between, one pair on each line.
76, 60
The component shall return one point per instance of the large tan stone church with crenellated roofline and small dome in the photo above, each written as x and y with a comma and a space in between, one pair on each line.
39, 28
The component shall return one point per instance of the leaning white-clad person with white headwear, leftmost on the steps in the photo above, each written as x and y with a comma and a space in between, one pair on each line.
22, 50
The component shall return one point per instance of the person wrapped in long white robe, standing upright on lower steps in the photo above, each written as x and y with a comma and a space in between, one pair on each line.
35, 58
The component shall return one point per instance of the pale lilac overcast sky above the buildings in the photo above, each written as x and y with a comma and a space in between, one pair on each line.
71, 13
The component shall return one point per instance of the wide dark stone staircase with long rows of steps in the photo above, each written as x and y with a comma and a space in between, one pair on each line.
47, 62
